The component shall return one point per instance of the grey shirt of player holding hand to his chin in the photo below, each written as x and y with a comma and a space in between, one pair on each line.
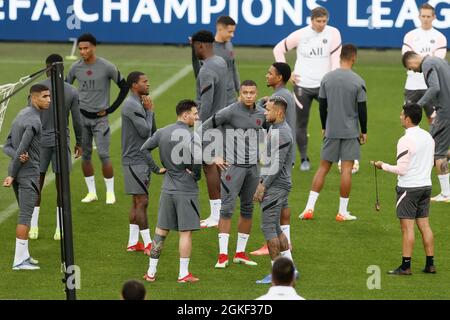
138, 125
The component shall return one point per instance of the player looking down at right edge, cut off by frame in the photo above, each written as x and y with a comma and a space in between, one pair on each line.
437, 78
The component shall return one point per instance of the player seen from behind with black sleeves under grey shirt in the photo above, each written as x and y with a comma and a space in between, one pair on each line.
342, 99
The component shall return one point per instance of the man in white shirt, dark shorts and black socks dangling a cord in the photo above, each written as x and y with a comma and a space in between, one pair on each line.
415, 151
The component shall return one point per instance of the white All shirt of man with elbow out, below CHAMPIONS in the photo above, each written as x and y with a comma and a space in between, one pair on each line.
317, 54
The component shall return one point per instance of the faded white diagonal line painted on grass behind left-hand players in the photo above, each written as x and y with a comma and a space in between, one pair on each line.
5, 214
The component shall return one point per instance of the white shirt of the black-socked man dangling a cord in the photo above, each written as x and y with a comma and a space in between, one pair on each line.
415, 159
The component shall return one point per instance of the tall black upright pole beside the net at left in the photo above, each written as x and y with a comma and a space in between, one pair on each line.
63, 181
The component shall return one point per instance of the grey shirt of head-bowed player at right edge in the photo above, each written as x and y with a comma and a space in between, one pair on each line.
437, 77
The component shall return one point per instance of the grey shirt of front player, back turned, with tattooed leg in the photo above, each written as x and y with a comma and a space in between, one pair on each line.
178, 139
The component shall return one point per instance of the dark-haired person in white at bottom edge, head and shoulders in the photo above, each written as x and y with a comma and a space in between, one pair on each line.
283, 281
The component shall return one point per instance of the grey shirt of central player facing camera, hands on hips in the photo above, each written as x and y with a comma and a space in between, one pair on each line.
241, 127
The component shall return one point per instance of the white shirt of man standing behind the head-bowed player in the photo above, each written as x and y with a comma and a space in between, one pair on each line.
426, 43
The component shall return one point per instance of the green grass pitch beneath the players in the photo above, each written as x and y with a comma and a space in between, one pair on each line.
332, 257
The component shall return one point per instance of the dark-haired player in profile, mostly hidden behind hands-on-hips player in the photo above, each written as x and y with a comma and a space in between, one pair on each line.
212, 97
